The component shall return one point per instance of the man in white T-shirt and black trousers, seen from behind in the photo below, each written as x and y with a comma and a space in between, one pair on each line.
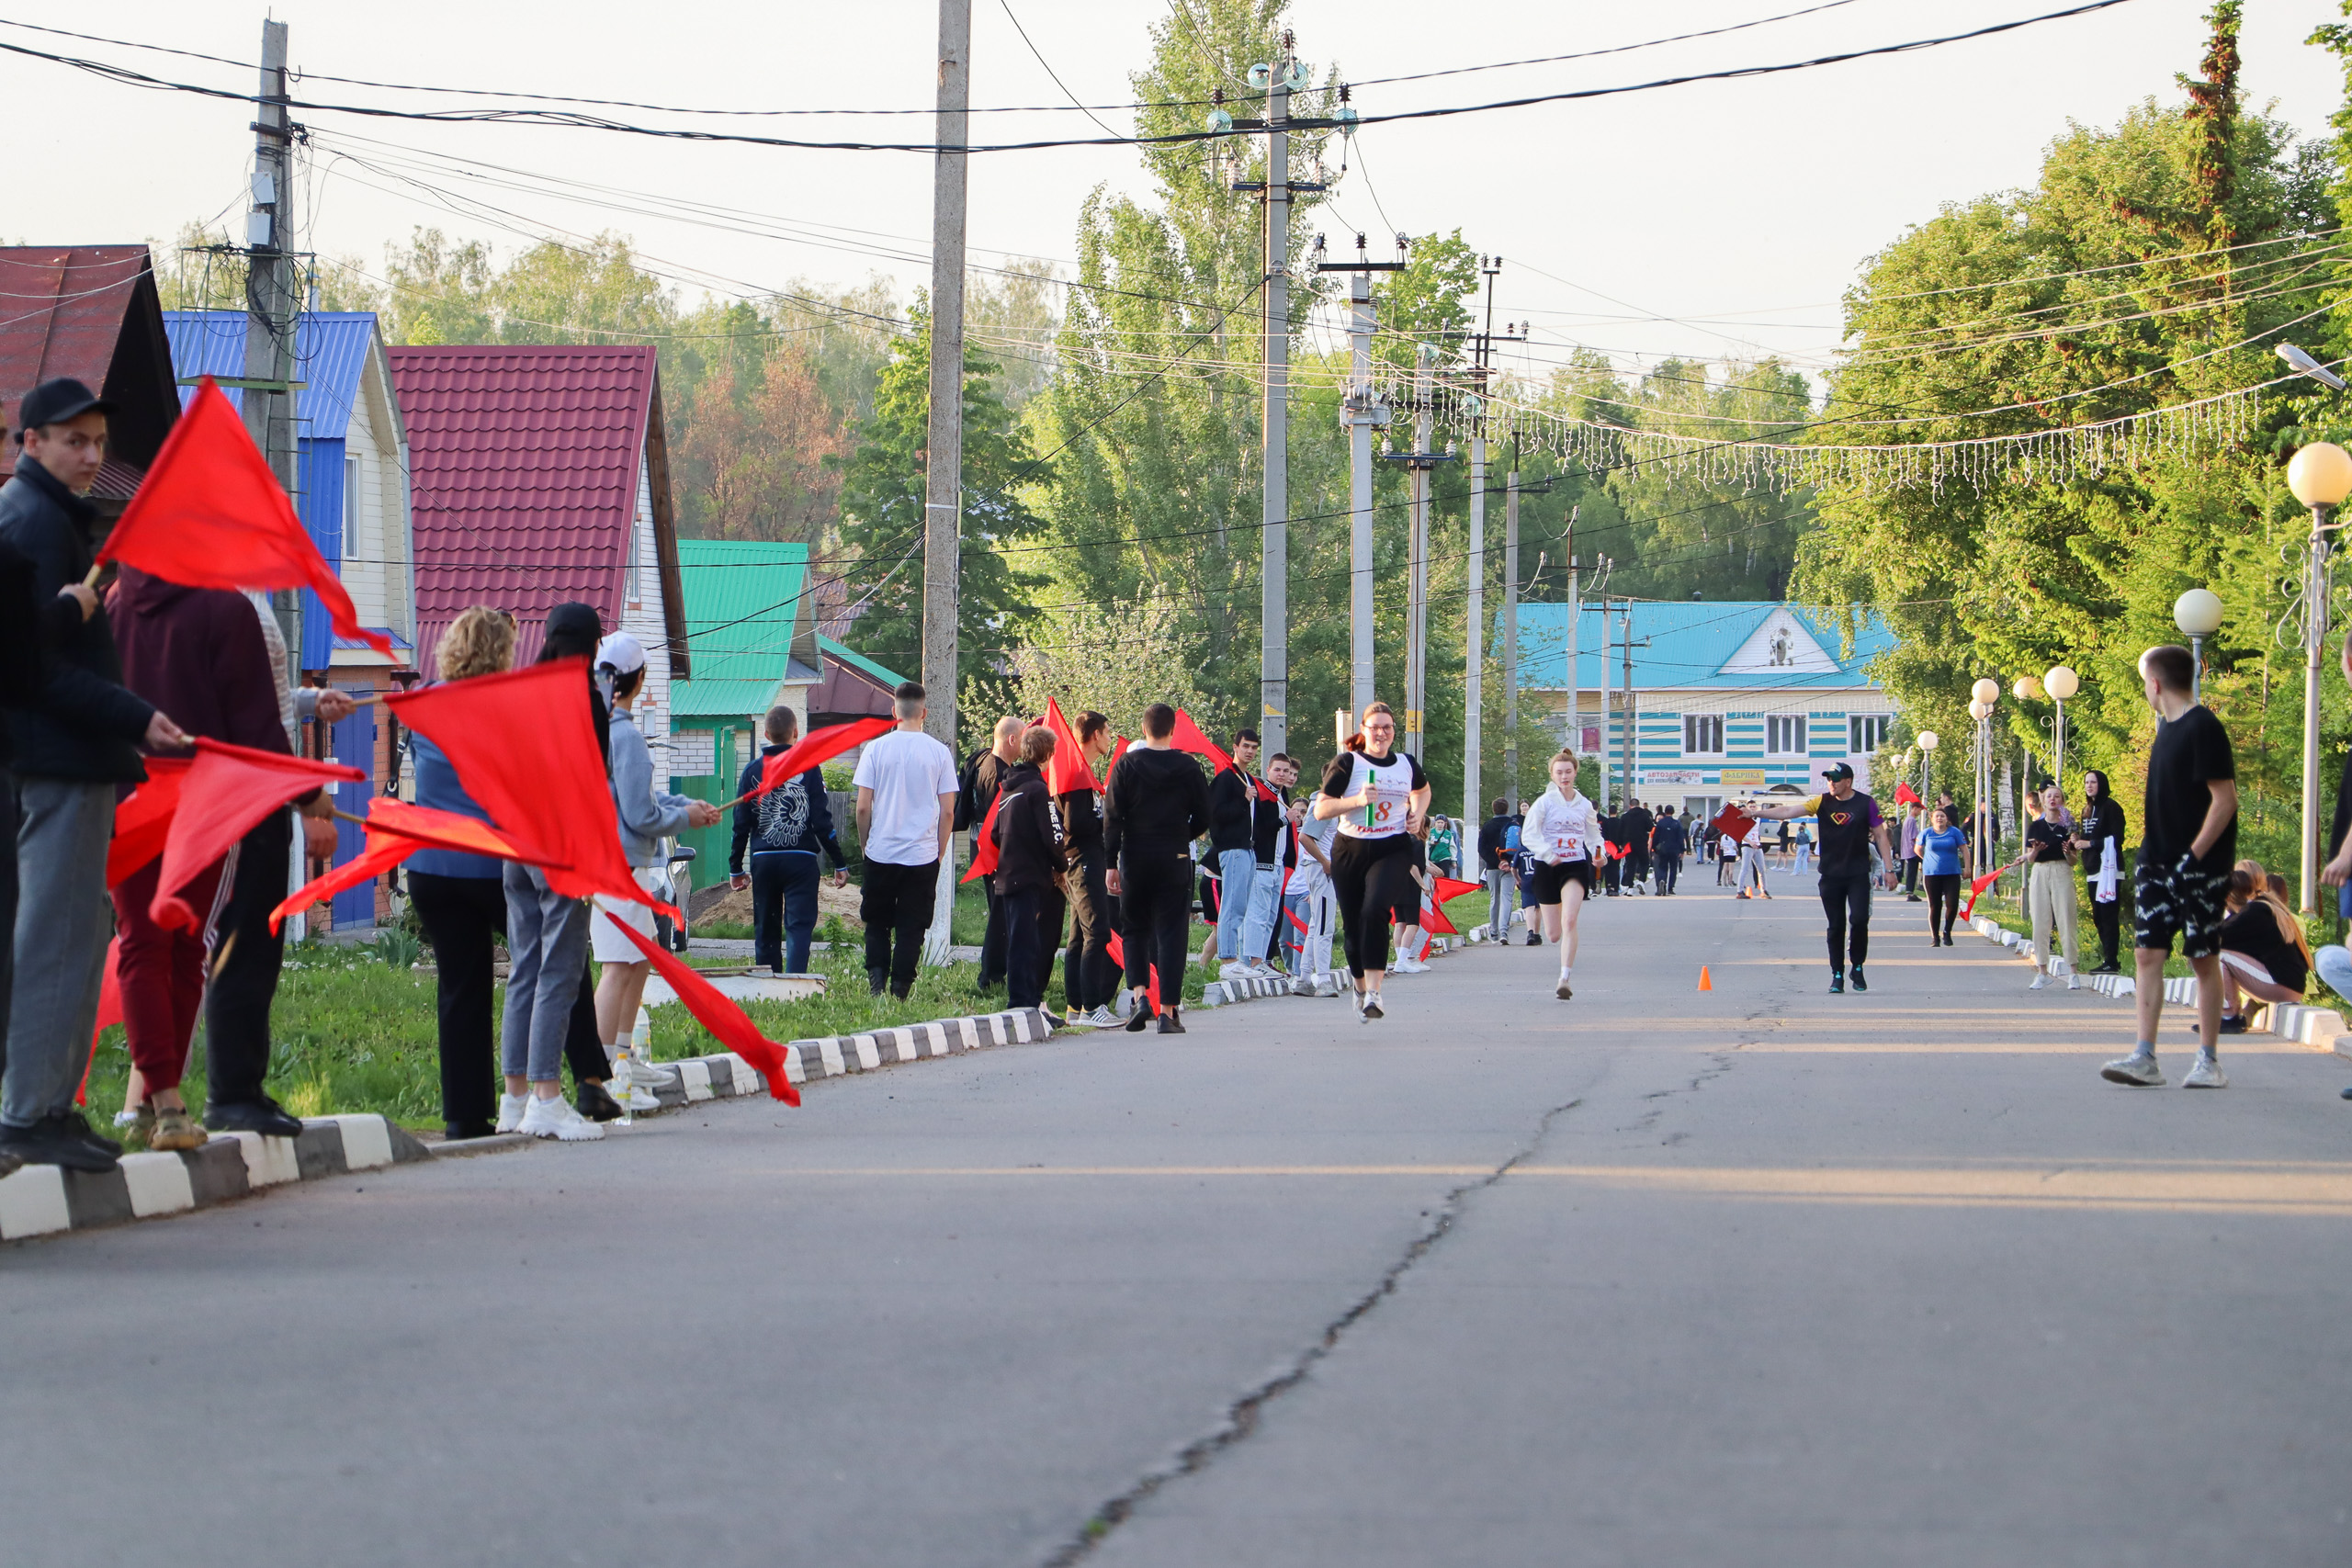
907, 819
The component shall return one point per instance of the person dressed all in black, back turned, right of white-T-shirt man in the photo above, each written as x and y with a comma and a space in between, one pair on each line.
1154, 808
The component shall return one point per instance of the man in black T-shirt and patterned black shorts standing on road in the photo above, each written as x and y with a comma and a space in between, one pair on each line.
2181, 880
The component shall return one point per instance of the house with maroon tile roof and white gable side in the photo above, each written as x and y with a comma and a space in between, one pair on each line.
542, 476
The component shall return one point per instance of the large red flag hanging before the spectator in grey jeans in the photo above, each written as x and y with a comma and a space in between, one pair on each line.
526, 751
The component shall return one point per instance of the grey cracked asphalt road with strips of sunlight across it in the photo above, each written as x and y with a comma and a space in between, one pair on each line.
1751, 1278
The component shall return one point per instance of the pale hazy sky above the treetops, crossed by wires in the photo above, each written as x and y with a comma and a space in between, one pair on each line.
1711, 220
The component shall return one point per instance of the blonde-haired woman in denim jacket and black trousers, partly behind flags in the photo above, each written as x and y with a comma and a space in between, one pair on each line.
460, 897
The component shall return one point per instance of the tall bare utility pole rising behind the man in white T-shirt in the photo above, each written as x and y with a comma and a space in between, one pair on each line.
944, 445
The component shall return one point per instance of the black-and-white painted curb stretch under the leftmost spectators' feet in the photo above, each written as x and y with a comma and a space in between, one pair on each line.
46, 1200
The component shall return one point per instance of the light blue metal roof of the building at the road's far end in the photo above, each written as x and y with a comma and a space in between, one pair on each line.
1688, 643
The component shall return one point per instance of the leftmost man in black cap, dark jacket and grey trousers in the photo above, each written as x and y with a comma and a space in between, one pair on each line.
72, 751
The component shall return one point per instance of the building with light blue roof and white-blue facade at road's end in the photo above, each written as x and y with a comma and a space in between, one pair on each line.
1728, 697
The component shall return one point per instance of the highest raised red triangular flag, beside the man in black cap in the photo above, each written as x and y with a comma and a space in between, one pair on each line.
211, 514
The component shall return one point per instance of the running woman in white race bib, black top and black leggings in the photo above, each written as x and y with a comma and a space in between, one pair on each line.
1379, 798
